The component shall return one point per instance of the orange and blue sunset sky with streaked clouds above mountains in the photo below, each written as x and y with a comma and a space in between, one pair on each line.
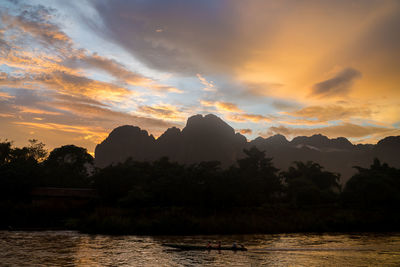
71, 71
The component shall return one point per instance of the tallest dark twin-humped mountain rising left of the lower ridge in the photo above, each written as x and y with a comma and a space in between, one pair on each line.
205, 138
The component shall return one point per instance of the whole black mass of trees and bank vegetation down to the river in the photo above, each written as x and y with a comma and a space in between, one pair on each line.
162, 196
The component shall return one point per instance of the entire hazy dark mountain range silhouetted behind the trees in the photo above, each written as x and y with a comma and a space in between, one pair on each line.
209, 138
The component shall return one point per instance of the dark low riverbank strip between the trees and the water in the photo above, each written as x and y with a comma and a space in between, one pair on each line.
198, 221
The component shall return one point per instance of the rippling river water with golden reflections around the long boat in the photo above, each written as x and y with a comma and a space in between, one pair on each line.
67, 248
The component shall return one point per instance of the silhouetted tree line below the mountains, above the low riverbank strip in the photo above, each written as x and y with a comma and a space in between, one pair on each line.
252, 182
